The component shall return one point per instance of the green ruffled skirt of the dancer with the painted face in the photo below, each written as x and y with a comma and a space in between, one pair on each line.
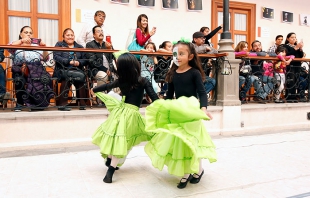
180, 139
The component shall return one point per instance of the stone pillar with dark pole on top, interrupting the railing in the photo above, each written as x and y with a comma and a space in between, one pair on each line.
228, 85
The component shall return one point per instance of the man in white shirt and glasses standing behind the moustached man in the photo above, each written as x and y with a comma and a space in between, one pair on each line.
86, 35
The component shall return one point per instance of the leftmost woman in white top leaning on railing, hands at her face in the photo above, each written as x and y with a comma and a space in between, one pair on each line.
31, 58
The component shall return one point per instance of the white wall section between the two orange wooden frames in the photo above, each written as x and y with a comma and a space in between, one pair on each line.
171, 24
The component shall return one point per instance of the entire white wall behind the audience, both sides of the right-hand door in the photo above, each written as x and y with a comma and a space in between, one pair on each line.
174, 24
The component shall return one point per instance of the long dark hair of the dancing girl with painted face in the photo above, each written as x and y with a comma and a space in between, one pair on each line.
194, 63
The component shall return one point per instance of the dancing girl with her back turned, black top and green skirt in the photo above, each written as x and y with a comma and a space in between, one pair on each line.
125, 127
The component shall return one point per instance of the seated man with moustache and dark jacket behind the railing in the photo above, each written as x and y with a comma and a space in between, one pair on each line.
99, 61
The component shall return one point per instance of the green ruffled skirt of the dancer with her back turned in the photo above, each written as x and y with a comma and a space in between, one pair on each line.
123, 129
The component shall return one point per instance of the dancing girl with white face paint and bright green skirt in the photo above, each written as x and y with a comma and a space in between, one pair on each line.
181, 140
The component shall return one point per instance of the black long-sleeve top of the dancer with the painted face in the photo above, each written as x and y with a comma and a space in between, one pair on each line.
188, 84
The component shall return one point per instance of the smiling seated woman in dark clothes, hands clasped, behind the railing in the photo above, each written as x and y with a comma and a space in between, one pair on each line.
66, 62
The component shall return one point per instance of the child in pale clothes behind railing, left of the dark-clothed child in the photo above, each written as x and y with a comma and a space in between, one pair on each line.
148, 64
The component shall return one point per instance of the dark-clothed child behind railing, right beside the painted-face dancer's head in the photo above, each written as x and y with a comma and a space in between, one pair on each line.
162, 67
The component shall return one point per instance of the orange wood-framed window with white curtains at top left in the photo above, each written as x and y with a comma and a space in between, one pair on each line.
47, 19
